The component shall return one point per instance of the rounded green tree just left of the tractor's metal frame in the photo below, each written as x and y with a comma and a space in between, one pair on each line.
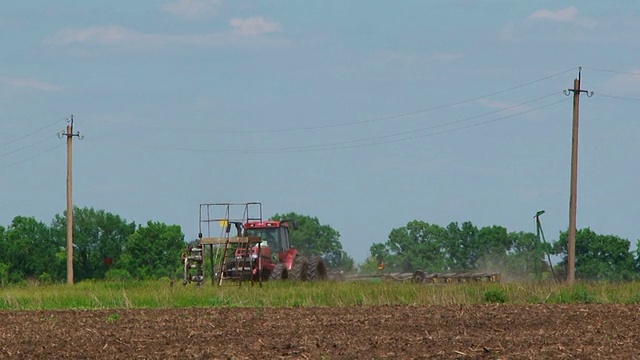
153, 251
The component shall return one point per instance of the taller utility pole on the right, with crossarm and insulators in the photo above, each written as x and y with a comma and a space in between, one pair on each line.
573, 197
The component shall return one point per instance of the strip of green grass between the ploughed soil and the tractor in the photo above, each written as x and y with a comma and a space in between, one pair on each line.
158, 294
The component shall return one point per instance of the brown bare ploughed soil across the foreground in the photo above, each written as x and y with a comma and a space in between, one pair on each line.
383, 332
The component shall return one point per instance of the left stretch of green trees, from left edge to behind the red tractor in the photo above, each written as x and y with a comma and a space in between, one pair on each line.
106, 246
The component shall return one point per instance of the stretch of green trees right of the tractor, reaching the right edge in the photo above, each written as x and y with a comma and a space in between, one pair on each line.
518, 255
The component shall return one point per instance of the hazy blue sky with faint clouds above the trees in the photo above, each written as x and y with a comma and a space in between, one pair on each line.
364, 114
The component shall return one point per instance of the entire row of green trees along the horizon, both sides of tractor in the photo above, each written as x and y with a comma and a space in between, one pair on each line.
107, 246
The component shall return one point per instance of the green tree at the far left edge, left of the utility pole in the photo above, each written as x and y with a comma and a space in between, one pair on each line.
29, 249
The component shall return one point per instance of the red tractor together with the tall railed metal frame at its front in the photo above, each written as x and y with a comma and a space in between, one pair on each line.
261, 249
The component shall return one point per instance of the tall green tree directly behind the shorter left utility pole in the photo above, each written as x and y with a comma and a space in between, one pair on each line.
98, 239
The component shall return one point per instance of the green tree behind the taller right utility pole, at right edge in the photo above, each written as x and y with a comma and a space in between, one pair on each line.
599, 257
